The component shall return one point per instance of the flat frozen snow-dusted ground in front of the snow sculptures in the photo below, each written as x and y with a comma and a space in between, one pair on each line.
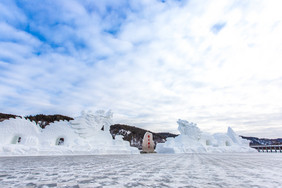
148, 170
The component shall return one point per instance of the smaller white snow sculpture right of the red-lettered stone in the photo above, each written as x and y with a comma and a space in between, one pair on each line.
192, 140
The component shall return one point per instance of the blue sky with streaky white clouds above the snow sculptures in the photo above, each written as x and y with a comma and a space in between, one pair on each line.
152, 62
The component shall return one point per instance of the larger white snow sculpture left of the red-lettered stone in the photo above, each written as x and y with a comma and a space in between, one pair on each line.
81, 136
